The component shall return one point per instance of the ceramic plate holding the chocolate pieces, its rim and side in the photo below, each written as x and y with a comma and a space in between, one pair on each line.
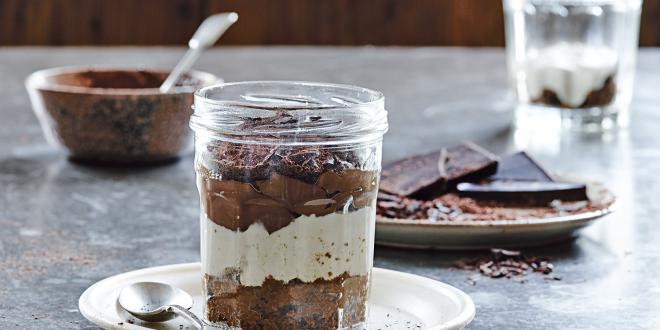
478, 235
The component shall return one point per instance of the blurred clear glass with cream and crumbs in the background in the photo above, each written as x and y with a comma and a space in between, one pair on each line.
572, 61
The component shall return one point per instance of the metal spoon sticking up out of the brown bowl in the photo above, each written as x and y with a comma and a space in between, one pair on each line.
206, 35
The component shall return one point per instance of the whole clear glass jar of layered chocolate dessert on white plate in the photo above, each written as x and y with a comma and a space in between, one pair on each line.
288, 176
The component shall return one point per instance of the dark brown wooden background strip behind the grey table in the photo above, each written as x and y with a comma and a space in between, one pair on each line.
268, 22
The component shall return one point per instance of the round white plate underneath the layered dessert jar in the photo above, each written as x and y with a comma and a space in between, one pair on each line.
398, 300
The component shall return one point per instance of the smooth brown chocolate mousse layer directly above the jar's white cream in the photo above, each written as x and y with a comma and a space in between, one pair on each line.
277, 201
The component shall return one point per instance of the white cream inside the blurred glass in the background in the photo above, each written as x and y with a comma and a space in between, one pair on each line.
570, 70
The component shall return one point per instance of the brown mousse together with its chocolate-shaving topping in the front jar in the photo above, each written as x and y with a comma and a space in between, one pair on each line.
274, 185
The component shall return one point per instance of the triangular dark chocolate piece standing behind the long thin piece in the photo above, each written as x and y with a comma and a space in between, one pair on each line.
520, 167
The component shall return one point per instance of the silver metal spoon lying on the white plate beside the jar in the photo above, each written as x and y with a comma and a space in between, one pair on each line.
157, 302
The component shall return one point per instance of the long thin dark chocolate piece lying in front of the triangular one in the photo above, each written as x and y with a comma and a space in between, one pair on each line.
525, 192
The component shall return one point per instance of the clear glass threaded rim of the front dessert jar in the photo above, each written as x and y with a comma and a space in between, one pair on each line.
289, 112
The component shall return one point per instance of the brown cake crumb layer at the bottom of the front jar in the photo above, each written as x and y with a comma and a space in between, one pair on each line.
292, 305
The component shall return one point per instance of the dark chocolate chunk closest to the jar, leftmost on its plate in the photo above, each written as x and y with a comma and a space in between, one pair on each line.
416, 175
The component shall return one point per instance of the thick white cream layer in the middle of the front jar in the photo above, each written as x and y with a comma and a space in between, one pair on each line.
308, 248
